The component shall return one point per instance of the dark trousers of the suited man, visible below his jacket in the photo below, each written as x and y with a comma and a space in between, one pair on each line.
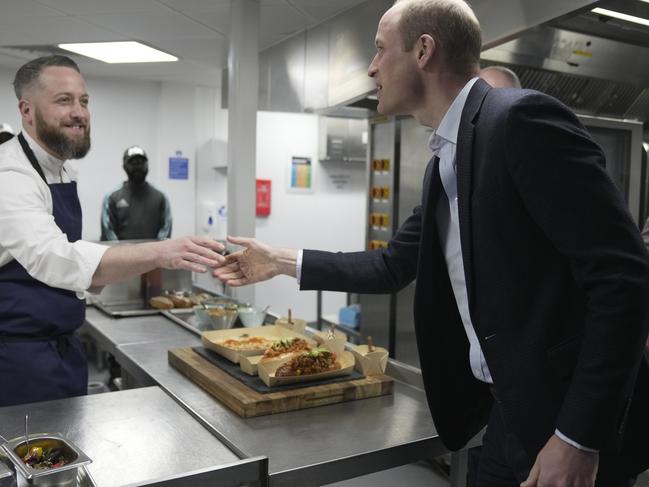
502, 461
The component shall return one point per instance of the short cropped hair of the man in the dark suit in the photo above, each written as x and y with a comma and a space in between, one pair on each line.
451, 23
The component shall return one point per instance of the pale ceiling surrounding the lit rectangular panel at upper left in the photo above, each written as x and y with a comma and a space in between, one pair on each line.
197, 31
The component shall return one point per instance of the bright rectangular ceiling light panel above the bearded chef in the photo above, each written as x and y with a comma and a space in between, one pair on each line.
119, 52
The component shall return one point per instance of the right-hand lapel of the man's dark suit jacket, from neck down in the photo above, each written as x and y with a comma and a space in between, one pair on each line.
464, 159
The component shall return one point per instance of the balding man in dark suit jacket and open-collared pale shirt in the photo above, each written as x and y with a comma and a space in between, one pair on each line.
531, 305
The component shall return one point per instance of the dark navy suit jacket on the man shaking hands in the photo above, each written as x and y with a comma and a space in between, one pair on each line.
557, 278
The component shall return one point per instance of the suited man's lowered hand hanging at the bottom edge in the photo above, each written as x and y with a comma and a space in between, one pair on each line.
559, 464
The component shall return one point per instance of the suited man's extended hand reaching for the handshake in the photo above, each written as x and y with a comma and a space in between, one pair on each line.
256, 262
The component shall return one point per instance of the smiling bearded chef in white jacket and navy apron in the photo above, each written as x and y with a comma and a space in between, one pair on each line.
45, 266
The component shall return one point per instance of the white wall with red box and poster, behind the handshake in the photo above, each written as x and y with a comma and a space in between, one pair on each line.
325, 219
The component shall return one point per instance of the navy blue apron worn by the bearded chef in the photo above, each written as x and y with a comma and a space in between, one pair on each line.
40, 357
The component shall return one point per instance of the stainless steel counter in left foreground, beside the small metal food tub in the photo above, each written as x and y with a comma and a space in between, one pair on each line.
135, 437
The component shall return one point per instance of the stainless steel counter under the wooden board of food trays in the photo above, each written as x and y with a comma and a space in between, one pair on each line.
307, 448
